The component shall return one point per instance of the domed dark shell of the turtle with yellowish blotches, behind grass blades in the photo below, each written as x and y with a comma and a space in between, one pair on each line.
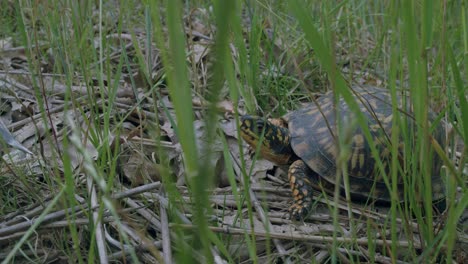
314, 139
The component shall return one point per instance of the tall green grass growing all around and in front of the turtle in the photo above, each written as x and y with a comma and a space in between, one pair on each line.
416, 46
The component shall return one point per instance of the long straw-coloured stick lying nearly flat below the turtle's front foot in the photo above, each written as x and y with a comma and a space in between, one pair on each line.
299, 237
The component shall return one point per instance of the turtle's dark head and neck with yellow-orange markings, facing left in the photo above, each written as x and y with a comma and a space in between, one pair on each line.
273, 137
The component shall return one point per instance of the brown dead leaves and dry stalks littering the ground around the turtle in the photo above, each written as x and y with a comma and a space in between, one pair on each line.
140, 203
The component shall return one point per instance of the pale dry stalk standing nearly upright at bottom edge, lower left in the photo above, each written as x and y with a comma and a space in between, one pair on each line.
97, 222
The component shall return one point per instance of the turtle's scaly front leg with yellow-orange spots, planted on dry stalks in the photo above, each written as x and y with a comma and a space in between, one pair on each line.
300, 176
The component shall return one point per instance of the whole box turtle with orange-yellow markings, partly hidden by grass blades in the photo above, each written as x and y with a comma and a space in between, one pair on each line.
305, 143
